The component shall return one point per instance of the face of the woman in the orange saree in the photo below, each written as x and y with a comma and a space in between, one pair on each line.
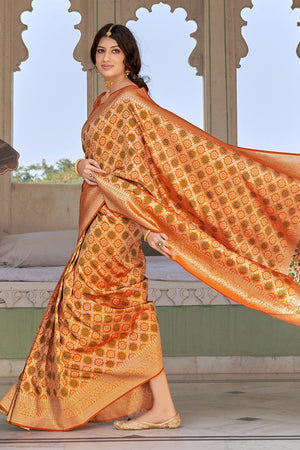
110, 59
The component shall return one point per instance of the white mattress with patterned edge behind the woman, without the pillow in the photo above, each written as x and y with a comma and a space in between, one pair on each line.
169, 285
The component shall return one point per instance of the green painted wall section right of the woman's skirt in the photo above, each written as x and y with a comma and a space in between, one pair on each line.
225, 330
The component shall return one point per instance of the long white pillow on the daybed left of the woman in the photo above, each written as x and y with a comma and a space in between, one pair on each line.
45, 248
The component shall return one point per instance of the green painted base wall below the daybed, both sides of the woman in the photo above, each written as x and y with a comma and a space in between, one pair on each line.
185, 331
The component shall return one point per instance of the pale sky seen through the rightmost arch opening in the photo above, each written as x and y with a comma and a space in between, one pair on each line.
268, 80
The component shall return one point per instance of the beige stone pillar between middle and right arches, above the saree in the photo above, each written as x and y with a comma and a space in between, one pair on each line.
224, 46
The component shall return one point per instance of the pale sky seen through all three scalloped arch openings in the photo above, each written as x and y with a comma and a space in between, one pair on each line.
50, 89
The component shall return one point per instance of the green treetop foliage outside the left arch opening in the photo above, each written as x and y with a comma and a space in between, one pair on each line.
61, 172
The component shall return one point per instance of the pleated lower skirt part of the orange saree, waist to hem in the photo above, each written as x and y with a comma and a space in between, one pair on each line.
98, 343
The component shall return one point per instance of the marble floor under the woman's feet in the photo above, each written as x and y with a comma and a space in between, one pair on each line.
219, 412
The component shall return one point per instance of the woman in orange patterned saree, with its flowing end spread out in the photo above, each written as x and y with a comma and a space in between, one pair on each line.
228, 215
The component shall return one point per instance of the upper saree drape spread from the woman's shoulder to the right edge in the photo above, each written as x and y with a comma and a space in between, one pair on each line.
231, 214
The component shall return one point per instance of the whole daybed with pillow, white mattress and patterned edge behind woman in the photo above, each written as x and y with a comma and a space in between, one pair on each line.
31, 264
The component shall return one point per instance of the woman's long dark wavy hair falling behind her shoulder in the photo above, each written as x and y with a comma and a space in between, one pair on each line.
127, 43
